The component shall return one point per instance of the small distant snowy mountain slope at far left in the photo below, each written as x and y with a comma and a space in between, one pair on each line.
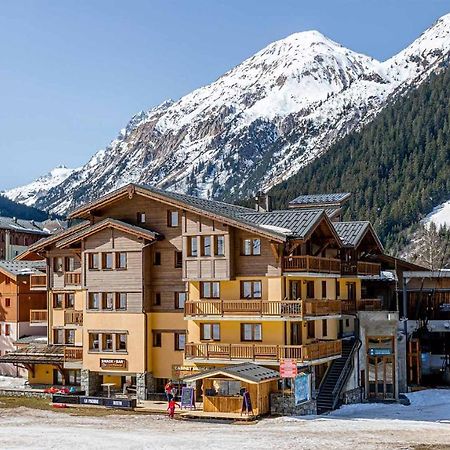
30, 194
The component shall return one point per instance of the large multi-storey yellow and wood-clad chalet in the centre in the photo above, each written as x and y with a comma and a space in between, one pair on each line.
152, 285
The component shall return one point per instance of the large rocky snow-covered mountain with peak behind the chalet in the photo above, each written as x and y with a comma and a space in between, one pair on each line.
257, 124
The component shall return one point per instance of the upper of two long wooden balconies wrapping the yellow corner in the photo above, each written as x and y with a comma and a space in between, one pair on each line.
285, 309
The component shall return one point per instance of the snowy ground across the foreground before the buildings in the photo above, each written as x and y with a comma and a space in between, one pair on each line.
426, 422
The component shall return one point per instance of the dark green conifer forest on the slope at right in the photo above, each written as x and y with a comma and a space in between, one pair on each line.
397, 167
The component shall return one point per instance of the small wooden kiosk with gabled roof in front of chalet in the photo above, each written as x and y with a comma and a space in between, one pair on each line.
224, 388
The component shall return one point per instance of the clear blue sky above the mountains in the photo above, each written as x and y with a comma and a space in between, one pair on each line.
72, 73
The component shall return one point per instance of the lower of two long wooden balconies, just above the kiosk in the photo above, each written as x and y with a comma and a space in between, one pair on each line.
268, 354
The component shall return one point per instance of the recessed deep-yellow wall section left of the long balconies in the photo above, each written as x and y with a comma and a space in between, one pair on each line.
161, 359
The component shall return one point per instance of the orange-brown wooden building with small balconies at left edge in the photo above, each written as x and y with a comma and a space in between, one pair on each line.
23, 308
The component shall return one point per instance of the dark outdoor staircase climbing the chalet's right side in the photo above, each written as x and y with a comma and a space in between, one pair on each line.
335, 378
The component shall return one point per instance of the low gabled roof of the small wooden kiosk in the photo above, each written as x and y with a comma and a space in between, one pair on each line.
247, 372
